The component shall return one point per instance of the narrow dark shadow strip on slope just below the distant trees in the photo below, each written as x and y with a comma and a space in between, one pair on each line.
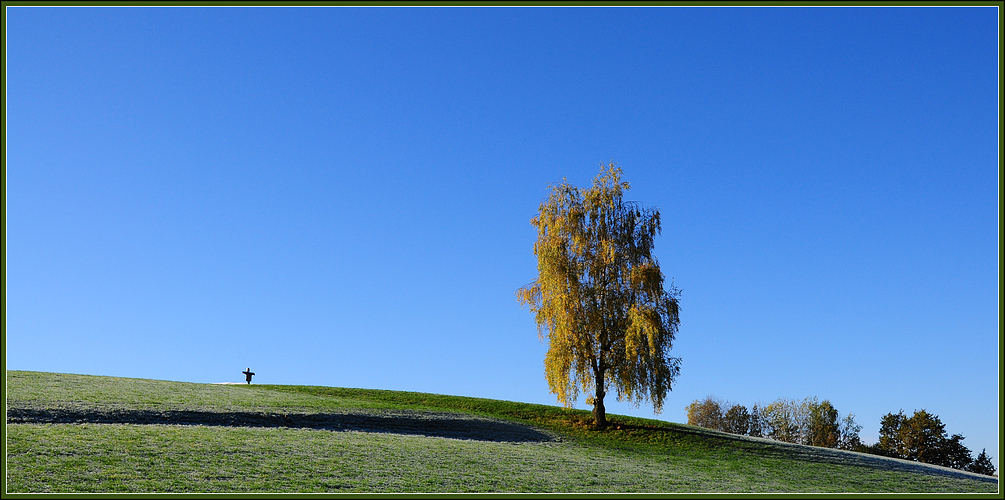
789, 451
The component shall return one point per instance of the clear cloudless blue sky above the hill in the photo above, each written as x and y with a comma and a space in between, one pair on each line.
342, 196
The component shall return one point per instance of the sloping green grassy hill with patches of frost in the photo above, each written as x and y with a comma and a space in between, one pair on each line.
73, 433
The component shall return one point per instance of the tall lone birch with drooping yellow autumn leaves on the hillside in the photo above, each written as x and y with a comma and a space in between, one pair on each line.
599, 298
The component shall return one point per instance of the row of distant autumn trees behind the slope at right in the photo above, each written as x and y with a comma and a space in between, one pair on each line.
921, 437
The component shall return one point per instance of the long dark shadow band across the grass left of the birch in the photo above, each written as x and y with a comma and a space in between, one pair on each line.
417, 423
